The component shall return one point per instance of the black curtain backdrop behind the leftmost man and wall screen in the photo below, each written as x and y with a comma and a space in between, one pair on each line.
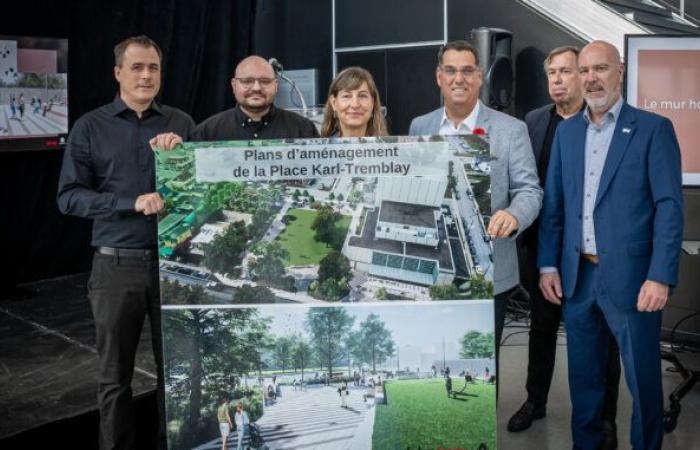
201, 42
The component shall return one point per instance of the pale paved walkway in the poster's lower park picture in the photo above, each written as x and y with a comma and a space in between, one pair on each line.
312, 419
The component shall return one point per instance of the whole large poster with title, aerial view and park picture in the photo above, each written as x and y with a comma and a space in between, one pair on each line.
339, 289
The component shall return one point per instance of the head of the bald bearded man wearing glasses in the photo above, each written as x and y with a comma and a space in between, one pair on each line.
255, 86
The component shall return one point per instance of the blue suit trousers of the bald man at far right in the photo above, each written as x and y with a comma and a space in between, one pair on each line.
592, 320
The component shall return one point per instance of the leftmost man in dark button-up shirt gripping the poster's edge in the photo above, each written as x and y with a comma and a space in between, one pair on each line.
108, 175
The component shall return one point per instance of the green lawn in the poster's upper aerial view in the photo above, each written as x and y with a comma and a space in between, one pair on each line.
298, 238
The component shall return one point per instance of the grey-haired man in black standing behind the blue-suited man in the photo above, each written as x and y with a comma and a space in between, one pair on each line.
565, 90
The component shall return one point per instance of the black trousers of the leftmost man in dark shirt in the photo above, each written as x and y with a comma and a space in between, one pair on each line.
122, 291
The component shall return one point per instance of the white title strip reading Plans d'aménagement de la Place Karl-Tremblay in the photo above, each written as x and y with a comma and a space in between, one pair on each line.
323, 160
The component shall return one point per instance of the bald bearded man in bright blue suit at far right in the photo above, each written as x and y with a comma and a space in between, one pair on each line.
609, 244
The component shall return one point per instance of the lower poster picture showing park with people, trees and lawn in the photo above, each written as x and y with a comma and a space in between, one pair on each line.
408, 375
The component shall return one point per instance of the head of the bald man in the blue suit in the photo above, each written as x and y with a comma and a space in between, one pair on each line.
601, 72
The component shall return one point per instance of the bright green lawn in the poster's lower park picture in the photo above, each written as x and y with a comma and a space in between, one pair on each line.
418, 414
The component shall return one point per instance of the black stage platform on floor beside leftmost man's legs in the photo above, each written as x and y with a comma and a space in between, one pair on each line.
48, 367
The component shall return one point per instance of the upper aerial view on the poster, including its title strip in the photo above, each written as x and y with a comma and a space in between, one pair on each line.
327, 220
